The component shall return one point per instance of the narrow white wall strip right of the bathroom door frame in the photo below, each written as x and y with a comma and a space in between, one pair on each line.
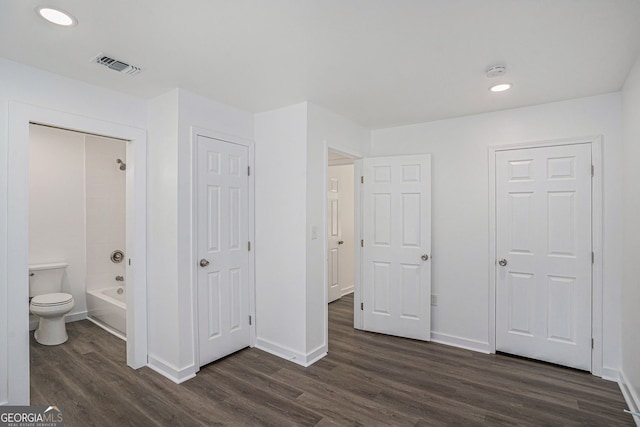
162, 238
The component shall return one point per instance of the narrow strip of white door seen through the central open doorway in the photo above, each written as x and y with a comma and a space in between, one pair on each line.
333, 238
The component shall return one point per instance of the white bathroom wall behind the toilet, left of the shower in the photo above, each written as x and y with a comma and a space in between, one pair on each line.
57, 207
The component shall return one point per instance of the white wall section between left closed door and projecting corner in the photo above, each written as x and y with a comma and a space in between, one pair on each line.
281, 231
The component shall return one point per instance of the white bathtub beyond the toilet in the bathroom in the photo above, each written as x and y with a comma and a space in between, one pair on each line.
108, 309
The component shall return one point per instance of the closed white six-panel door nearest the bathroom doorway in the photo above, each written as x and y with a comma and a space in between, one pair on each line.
222, 248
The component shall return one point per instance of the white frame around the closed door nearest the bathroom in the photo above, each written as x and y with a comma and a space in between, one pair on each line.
232, 139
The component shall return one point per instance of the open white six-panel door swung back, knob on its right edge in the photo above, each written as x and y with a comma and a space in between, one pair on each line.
396, 218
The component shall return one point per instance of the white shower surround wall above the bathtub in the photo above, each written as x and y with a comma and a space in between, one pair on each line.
105, 210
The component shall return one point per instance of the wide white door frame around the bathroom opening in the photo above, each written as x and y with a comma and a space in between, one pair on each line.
20, 117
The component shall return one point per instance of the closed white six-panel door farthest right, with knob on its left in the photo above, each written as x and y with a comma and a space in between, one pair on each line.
544, 250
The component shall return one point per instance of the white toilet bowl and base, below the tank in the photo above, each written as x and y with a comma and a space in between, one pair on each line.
51, 309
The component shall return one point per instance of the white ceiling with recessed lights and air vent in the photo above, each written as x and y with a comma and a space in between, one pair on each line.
379, 62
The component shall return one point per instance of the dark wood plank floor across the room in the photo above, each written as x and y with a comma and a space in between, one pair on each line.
366, 379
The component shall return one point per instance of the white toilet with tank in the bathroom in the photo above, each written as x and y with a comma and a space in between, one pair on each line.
48, 303
